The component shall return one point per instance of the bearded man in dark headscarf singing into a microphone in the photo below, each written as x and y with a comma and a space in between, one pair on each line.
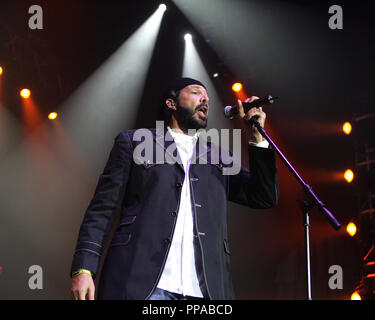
171, 242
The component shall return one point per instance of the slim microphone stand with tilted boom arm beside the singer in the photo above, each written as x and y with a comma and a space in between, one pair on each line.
306, 205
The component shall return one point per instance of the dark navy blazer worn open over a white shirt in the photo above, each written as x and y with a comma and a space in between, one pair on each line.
147, 196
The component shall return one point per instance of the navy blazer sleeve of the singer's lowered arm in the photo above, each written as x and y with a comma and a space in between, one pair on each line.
104, 206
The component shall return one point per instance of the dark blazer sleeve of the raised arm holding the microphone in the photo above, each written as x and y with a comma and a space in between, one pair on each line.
258, 187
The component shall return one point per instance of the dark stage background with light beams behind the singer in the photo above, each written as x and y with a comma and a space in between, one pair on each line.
48, 170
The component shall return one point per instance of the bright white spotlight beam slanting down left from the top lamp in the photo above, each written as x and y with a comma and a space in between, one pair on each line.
106, 103
